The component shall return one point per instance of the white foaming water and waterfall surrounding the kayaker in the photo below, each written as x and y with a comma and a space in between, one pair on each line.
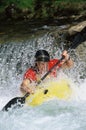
15, 58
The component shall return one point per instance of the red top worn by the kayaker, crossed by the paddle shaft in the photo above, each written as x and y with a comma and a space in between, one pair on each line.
31, 73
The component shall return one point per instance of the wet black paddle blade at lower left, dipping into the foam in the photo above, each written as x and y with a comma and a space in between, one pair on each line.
14, 103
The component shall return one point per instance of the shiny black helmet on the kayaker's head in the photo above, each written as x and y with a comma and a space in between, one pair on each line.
42, 55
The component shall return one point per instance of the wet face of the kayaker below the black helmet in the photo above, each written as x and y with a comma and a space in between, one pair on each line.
42, 67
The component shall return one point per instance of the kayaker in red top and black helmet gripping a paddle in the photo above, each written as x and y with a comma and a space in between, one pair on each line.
42, 64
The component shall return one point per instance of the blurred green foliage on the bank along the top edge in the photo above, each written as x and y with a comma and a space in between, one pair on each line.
45, 8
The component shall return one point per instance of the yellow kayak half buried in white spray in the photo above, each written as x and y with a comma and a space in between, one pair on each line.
54, 89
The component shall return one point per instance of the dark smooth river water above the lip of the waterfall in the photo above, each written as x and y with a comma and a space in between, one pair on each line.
16, 29
